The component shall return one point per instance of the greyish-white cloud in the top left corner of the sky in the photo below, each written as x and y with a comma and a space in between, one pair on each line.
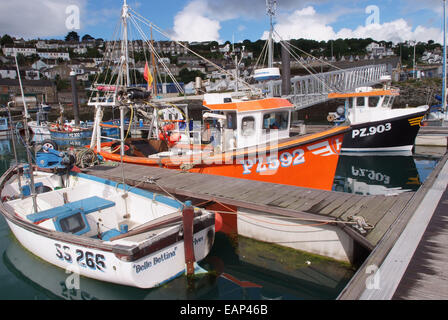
38, 18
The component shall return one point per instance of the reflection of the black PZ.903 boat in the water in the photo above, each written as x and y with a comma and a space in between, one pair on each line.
373, 174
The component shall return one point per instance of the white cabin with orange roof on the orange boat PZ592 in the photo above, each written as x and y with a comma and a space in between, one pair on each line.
244, 123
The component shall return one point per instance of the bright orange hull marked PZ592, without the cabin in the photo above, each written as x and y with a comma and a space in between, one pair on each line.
303, 161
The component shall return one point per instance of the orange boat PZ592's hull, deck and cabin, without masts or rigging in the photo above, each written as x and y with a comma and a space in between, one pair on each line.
248, 139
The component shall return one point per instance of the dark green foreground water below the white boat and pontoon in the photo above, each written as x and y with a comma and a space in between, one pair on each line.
248, 272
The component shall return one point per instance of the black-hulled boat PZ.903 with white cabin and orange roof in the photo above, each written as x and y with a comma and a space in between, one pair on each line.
375, 125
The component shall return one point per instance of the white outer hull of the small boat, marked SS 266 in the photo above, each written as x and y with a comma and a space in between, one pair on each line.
146, 272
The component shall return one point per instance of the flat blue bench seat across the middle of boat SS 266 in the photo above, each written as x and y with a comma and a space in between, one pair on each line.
84, 206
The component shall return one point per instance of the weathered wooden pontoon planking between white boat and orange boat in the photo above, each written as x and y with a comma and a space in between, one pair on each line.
256, 195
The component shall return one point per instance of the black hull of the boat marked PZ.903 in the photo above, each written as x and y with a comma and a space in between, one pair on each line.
396, 134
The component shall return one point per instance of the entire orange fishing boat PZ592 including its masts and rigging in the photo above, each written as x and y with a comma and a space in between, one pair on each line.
242, 134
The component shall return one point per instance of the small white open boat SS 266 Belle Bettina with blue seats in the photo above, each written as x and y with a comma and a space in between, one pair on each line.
102, 229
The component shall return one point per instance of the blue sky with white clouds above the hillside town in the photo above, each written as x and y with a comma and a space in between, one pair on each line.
227, 20
